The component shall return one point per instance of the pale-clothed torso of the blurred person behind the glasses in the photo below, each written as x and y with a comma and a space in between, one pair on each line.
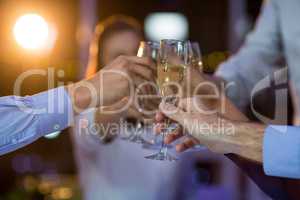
118, 170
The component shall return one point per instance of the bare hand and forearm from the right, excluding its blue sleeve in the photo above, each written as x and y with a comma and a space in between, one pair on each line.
219, 134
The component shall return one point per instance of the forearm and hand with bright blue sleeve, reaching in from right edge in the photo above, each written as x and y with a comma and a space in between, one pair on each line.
276, 147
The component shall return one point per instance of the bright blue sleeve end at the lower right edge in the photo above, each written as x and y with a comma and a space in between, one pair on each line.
281, 151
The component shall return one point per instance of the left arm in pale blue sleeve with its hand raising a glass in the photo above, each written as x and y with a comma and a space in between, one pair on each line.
25, 119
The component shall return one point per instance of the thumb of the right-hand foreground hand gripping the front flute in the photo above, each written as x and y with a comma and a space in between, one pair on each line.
172, 112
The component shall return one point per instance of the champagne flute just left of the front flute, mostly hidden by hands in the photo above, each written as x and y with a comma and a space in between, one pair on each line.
146, 49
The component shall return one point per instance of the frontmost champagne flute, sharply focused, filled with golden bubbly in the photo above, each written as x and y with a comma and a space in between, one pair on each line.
172, 65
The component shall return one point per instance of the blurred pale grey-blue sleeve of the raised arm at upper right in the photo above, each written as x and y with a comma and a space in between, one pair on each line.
259, 57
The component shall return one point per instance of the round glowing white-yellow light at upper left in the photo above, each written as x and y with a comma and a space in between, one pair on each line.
32, 32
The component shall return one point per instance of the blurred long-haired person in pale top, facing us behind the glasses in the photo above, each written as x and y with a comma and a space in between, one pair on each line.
115, 168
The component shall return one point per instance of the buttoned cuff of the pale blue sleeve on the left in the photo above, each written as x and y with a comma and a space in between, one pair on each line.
53, 109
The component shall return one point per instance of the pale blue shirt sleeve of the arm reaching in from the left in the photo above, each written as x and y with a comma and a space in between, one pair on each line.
25, 119
